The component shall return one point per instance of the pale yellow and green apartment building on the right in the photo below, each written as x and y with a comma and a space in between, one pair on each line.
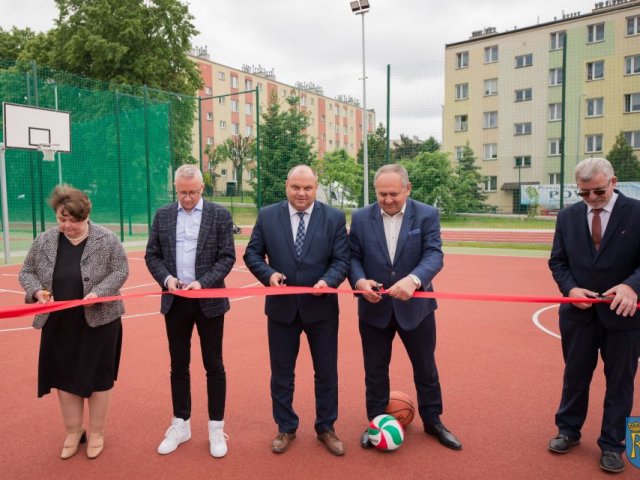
504, 96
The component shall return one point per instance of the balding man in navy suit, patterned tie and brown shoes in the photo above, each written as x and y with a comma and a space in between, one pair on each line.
306, 245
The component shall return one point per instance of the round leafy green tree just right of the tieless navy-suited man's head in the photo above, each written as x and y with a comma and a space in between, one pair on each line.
431, 179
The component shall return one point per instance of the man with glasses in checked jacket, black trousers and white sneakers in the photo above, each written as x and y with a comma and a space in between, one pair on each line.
191, 247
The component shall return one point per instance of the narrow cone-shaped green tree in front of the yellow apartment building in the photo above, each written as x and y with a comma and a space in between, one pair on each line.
468, 194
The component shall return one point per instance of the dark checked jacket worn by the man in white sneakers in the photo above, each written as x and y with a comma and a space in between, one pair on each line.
215, 253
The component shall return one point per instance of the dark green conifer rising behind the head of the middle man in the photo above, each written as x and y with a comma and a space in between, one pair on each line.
283, 145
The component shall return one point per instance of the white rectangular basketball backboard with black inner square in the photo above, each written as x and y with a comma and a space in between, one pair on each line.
29, 127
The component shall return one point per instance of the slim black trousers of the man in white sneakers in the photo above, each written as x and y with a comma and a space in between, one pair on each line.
179, 321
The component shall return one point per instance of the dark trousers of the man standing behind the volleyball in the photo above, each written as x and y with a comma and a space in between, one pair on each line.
420, 345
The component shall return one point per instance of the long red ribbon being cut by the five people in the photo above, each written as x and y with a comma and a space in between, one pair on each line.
39, 308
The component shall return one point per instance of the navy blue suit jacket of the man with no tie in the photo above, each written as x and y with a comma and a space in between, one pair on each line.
418, 252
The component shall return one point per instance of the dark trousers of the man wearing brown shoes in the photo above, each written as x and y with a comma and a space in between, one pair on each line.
284, 345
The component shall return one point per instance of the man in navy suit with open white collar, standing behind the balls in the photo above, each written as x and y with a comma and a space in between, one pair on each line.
395, 245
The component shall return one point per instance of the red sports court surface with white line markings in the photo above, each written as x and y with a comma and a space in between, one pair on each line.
501, 377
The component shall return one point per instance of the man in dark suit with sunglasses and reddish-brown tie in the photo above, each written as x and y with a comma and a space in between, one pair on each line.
596, 252
